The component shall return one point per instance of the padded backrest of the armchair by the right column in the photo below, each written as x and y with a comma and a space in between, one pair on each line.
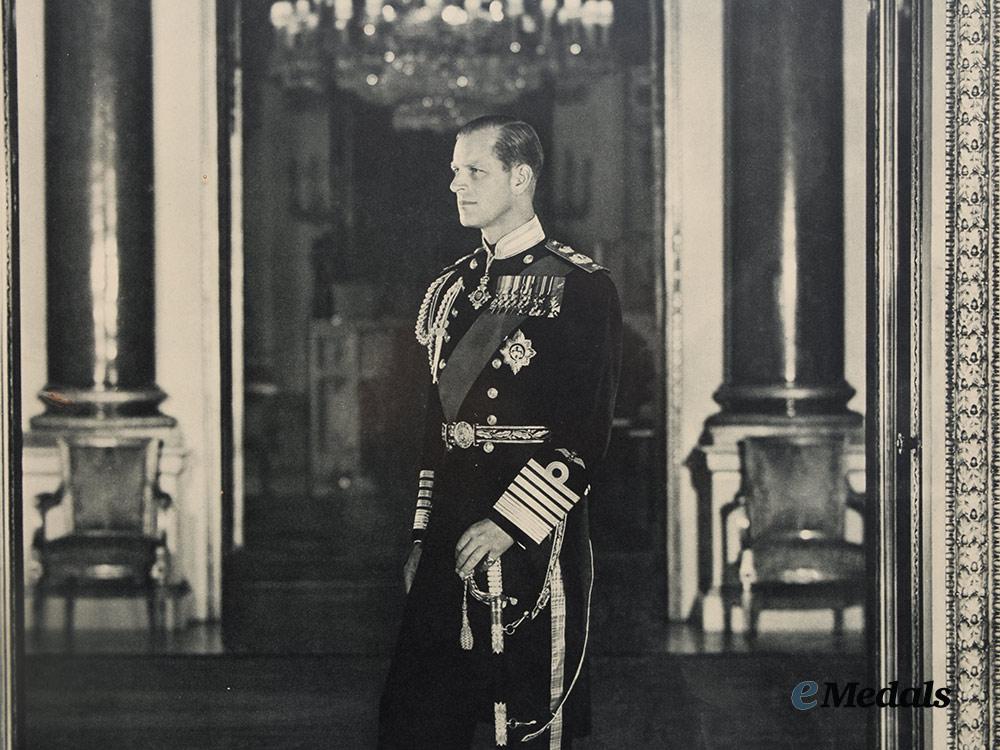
794, 487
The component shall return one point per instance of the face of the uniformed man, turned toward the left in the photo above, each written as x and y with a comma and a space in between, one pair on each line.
482, 187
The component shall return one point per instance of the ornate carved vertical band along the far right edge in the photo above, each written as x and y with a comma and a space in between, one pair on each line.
972, 444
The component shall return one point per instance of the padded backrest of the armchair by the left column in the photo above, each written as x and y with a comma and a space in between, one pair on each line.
109, 483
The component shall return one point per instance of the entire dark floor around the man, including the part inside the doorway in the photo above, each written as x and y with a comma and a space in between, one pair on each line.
312, 616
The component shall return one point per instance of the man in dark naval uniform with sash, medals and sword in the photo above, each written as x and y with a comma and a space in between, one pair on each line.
523, 340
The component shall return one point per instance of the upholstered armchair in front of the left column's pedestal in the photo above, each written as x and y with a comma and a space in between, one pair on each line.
110, 493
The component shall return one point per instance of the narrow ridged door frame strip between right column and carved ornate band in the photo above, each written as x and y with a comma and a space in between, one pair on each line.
897, 259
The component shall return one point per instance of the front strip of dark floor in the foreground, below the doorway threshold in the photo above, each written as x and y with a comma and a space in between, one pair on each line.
218, 701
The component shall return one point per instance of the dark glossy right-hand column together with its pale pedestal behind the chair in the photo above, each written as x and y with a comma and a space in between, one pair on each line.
784, 257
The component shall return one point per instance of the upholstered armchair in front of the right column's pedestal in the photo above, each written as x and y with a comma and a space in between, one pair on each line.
790, 519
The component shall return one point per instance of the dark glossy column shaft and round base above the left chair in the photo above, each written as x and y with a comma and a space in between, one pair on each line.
99, 217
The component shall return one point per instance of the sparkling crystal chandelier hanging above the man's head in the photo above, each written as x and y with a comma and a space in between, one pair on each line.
437, 63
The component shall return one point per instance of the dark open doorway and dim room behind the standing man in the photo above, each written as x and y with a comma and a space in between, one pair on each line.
347, 217
